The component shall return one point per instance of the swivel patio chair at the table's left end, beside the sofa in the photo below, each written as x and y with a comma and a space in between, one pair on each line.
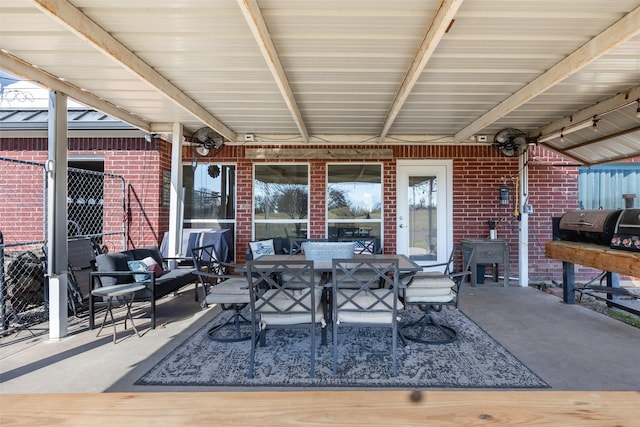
218, 286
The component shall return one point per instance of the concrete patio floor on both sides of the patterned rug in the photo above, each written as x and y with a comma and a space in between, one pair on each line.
568, 346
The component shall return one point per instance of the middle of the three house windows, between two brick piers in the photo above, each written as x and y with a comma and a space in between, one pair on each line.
281, 200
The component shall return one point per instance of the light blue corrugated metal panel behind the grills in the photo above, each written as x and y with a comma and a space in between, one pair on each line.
602, 187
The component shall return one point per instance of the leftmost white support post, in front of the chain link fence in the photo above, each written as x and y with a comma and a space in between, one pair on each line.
57, 257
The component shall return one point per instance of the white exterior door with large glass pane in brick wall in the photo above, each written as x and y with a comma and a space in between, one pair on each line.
424, 211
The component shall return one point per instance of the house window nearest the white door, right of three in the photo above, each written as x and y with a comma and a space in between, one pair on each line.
354, 201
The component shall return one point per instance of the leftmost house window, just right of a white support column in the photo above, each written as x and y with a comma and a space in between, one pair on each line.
209, 196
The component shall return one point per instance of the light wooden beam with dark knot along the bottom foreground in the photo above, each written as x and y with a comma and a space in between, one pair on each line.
326, 407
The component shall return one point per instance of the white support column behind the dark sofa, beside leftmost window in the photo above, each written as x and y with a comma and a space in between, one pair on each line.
176, 201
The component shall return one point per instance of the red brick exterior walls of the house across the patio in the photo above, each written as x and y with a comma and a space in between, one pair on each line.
478, 173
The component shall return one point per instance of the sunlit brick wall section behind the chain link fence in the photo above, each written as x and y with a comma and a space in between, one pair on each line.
139, 162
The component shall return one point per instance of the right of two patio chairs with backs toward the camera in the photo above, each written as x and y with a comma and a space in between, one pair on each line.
367, 304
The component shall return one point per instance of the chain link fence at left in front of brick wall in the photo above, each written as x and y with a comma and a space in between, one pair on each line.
95, 210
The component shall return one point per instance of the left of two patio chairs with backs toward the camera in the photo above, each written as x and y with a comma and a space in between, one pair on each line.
284, 304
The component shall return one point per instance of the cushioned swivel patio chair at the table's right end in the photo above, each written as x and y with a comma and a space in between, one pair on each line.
430, 292
